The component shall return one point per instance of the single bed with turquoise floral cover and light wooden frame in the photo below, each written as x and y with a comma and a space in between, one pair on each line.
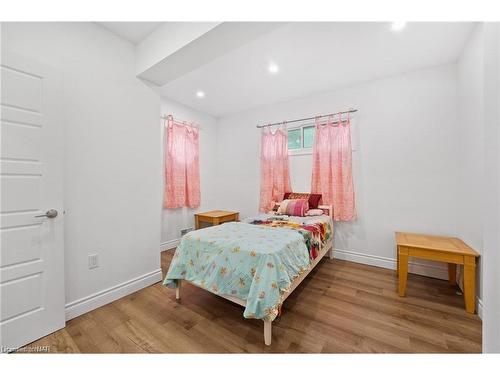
256, 263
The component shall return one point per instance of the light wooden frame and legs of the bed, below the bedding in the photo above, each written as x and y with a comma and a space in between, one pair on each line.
328, 248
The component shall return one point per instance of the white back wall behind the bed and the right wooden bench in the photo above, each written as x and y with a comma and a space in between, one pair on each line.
405, 163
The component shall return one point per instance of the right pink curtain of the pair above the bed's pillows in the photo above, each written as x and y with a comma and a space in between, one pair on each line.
332, 168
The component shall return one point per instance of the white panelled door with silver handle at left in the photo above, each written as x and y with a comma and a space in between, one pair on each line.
32, 254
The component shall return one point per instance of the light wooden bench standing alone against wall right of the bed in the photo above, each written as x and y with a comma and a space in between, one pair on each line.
451, 250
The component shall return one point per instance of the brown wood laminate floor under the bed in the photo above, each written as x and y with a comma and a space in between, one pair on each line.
342, 307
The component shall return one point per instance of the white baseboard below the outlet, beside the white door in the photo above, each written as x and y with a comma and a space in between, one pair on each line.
93, 301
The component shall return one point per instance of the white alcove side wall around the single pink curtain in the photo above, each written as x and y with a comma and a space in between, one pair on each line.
175, 220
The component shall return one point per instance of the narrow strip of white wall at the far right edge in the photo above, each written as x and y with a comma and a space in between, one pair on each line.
491, 233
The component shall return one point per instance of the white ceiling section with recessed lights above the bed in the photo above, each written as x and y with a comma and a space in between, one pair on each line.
314, 57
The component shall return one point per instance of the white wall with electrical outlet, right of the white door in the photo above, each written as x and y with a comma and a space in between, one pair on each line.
112, 147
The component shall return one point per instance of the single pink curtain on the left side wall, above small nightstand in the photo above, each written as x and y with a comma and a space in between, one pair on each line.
182, 171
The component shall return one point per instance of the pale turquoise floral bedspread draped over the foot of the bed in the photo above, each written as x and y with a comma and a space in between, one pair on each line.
256, 263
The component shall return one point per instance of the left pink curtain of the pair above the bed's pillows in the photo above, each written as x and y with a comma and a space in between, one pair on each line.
274, 169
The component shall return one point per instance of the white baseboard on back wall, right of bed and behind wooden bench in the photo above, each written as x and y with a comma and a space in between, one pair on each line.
438, 271
